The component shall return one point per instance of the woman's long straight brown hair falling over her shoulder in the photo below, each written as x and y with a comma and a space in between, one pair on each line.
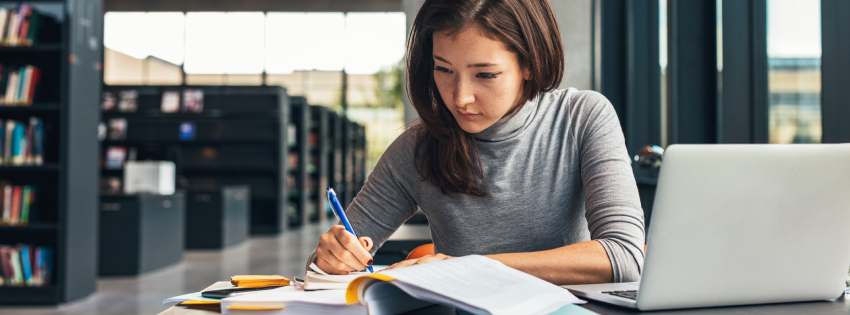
447, 156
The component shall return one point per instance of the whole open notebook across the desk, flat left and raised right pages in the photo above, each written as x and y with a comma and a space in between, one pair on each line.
476, 284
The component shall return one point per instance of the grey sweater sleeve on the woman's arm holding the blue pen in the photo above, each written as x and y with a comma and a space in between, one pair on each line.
386, 200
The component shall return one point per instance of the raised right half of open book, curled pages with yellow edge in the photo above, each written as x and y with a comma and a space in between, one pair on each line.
475, 284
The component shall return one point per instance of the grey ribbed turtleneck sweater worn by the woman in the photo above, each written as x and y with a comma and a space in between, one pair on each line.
557, 172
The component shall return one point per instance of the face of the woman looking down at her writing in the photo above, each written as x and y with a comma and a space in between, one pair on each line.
478, 78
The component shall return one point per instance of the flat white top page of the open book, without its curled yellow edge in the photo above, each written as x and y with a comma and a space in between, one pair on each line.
481, 285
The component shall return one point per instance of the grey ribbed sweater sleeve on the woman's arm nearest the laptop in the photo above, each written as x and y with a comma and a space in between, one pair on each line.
613, 210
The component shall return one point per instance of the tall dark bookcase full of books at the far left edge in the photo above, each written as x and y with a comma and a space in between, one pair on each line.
58, 60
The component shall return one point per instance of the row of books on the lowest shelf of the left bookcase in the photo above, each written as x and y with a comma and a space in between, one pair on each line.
25, 265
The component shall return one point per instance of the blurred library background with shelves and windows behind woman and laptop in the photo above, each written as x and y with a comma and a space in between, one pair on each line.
149, 148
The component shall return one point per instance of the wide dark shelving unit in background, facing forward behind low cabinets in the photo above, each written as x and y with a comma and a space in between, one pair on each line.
238, 138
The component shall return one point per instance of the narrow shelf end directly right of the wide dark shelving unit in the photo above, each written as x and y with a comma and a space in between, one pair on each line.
299, 151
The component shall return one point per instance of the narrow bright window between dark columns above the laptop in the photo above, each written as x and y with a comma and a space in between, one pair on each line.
794, 76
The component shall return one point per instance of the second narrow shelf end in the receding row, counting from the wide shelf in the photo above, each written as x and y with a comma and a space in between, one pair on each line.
319, 143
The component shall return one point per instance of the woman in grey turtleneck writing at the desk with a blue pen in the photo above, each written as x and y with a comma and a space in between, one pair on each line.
502, 164
